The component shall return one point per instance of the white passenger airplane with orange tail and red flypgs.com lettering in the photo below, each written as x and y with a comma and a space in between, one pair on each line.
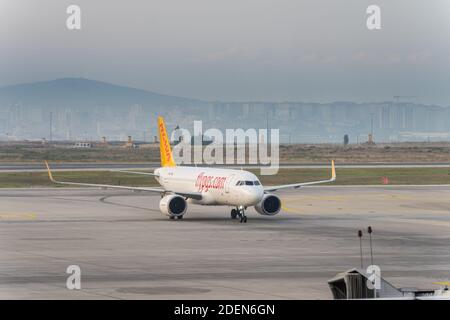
181, 185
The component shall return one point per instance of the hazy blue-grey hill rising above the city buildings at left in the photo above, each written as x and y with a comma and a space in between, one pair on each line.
85, 93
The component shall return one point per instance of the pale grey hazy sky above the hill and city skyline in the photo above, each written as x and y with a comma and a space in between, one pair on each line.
236, 49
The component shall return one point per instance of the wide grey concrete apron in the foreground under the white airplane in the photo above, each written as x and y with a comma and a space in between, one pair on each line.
127, 249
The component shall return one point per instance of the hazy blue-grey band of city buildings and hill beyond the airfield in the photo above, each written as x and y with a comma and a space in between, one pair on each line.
78, 108
